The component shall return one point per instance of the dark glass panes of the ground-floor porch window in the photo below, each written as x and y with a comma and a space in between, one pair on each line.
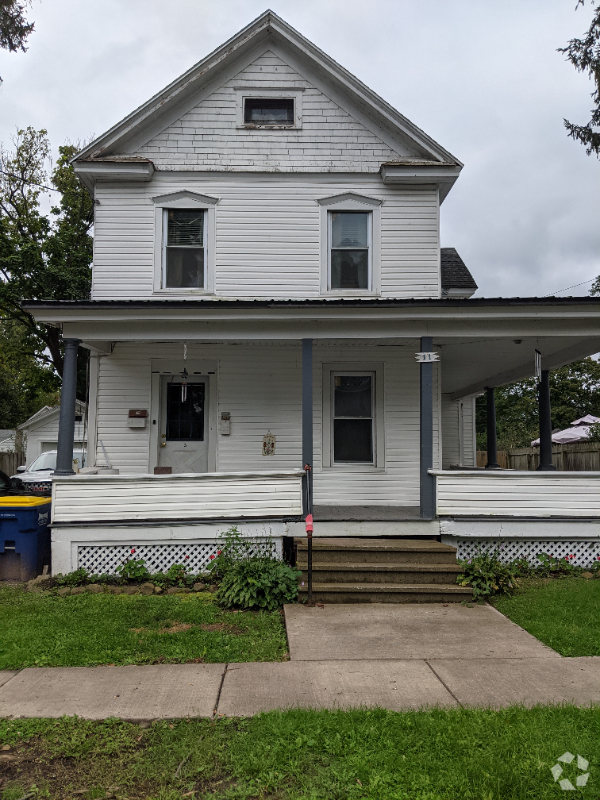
353, 419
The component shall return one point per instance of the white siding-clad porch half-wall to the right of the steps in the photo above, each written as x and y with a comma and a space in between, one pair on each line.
518, 494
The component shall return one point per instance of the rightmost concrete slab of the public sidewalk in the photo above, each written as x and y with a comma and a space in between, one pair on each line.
502, 682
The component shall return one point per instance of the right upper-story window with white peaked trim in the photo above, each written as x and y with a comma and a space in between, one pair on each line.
350, 245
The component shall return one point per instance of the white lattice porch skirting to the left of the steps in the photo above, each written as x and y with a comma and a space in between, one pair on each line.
101, 559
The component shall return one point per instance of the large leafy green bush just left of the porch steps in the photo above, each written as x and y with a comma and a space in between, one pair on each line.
258, 582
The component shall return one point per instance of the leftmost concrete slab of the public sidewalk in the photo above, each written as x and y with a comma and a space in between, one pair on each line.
133, 693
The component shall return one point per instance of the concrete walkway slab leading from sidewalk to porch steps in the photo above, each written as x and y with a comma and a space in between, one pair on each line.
430, 630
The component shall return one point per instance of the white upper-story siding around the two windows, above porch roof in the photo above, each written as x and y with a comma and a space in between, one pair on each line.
268, 234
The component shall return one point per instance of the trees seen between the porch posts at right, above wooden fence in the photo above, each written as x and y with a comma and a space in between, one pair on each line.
574, 392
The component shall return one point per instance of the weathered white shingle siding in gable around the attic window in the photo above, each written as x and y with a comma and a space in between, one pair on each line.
329, 139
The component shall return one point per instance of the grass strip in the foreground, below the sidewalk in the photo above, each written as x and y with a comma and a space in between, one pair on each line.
302, 755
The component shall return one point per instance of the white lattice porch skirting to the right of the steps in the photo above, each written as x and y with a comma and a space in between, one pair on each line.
585, 552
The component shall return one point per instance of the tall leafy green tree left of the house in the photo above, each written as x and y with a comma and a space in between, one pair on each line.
42, 256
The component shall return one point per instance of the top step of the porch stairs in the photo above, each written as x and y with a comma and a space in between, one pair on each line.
376, 551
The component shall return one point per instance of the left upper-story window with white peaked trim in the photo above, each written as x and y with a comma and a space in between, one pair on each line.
184, 243
